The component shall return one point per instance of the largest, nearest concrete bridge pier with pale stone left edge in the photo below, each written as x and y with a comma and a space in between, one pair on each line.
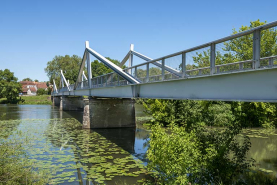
109, 113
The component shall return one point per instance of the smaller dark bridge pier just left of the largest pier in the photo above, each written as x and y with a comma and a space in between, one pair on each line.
71, 103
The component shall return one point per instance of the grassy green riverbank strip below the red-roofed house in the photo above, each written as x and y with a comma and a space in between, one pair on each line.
32, 100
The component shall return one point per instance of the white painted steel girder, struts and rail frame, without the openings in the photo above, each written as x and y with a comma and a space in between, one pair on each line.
239, 83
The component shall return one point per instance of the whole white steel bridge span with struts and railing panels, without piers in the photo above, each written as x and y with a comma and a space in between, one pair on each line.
212, 71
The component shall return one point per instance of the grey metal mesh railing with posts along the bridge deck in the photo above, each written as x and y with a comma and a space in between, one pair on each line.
235, 53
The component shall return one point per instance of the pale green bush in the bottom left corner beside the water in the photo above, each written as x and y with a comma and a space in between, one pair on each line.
15, 165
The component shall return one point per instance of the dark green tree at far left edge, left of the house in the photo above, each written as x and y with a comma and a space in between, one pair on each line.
9, 87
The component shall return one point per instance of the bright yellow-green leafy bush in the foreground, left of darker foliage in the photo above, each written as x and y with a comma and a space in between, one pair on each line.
176, 156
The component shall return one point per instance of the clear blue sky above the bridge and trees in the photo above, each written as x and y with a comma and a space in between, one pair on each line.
33, 32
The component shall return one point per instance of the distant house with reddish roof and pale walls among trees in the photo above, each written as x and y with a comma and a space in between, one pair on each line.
30, 88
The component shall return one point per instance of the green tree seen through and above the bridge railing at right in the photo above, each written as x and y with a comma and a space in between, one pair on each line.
239, 49
